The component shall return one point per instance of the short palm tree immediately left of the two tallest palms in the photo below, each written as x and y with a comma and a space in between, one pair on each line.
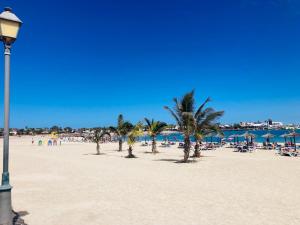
154, 128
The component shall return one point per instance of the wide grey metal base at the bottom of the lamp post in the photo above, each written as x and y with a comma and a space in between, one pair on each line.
6, 216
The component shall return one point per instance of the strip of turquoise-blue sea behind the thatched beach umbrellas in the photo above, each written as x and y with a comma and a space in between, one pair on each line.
258, 133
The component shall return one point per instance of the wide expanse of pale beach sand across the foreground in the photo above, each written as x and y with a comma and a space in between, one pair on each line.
67, 185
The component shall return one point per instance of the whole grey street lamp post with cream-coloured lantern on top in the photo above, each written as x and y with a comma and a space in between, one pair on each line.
9, 28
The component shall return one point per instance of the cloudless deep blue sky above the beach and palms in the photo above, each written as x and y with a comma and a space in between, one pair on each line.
81, 63
